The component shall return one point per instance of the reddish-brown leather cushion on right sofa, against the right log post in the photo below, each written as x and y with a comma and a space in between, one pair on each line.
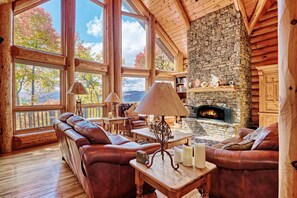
267, 139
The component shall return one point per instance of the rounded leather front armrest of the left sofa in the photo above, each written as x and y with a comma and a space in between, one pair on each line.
115, 154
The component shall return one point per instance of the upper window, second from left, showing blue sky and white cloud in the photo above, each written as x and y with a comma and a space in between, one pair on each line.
89, 31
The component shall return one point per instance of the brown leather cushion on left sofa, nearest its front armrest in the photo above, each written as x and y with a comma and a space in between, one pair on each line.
94, 133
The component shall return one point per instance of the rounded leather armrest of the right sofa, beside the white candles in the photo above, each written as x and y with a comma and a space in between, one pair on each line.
243, 160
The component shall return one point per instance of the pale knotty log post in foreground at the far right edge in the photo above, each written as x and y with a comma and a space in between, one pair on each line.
287, 53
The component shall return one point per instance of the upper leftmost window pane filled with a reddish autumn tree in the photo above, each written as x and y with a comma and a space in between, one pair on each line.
39, 27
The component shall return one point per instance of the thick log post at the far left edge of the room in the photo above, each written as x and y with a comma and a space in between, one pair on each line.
6, 126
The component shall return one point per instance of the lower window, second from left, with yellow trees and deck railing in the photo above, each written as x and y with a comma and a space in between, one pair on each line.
91, 102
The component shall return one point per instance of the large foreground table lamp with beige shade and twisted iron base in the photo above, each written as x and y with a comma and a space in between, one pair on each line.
162, 100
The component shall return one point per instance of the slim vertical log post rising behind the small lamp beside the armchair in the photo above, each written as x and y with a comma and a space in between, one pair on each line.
117, 30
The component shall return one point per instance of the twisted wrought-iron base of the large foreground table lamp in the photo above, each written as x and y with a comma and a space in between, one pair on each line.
162, 132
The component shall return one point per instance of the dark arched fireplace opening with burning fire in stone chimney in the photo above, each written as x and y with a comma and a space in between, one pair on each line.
211, 112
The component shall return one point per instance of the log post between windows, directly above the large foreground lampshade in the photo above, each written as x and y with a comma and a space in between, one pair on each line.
151, 52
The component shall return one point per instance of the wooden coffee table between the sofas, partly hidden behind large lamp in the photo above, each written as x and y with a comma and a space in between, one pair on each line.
146, 135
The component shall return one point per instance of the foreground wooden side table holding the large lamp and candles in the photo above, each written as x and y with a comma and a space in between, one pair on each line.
170, 182
